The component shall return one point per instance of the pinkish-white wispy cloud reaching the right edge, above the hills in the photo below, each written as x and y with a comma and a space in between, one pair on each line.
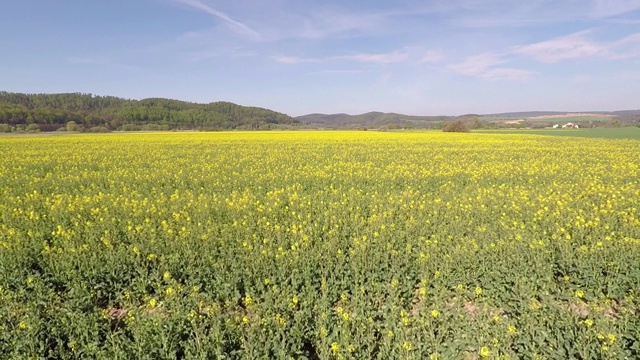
578, 45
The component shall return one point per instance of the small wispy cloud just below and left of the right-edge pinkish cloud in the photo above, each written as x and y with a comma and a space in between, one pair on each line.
485, 66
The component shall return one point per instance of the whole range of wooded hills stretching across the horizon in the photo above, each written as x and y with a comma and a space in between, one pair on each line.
49, 112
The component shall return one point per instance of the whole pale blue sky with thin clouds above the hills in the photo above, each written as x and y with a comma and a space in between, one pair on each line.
427, 57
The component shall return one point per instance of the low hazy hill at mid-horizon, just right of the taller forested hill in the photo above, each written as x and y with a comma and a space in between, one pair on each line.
370, 119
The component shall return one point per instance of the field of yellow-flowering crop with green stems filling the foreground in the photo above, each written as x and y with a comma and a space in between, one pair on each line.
330, 245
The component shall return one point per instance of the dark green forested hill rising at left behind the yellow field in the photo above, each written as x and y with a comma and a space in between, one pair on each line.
52, 111
